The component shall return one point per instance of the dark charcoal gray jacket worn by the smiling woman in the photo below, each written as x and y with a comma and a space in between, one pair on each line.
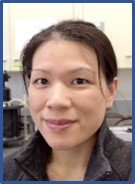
110, 159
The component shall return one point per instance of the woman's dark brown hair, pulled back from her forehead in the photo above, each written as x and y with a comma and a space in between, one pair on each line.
79, 31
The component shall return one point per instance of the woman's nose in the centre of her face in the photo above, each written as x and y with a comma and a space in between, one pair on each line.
58, 98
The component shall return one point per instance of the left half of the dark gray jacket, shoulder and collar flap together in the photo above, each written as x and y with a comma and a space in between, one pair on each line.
25, 164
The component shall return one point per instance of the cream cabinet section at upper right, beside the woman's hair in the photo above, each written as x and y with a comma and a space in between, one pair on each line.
117, 19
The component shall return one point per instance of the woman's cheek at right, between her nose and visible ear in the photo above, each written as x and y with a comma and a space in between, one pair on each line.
91, 110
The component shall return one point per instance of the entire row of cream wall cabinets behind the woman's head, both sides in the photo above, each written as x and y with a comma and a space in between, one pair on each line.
117, 19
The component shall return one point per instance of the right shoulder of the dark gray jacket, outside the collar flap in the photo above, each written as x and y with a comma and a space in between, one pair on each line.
119, 154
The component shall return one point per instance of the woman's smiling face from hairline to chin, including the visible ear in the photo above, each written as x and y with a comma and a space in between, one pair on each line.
64, 94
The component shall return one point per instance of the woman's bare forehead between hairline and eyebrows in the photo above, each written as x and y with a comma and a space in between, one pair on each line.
63, 54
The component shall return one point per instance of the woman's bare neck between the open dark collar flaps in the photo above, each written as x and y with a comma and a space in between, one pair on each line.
73, 161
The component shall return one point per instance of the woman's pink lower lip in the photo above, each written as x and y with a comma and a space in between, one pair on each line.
59, 127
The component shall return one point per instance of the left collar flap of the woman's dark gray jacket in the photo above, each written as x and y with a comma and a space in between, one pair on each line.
33, 158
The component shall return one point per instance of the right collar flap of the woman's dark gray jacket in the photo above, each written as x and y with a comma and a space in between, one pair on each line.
98, 165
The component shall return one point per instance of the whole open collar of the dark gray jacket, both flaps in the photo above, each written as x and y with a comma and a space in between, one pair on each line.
33, 157
